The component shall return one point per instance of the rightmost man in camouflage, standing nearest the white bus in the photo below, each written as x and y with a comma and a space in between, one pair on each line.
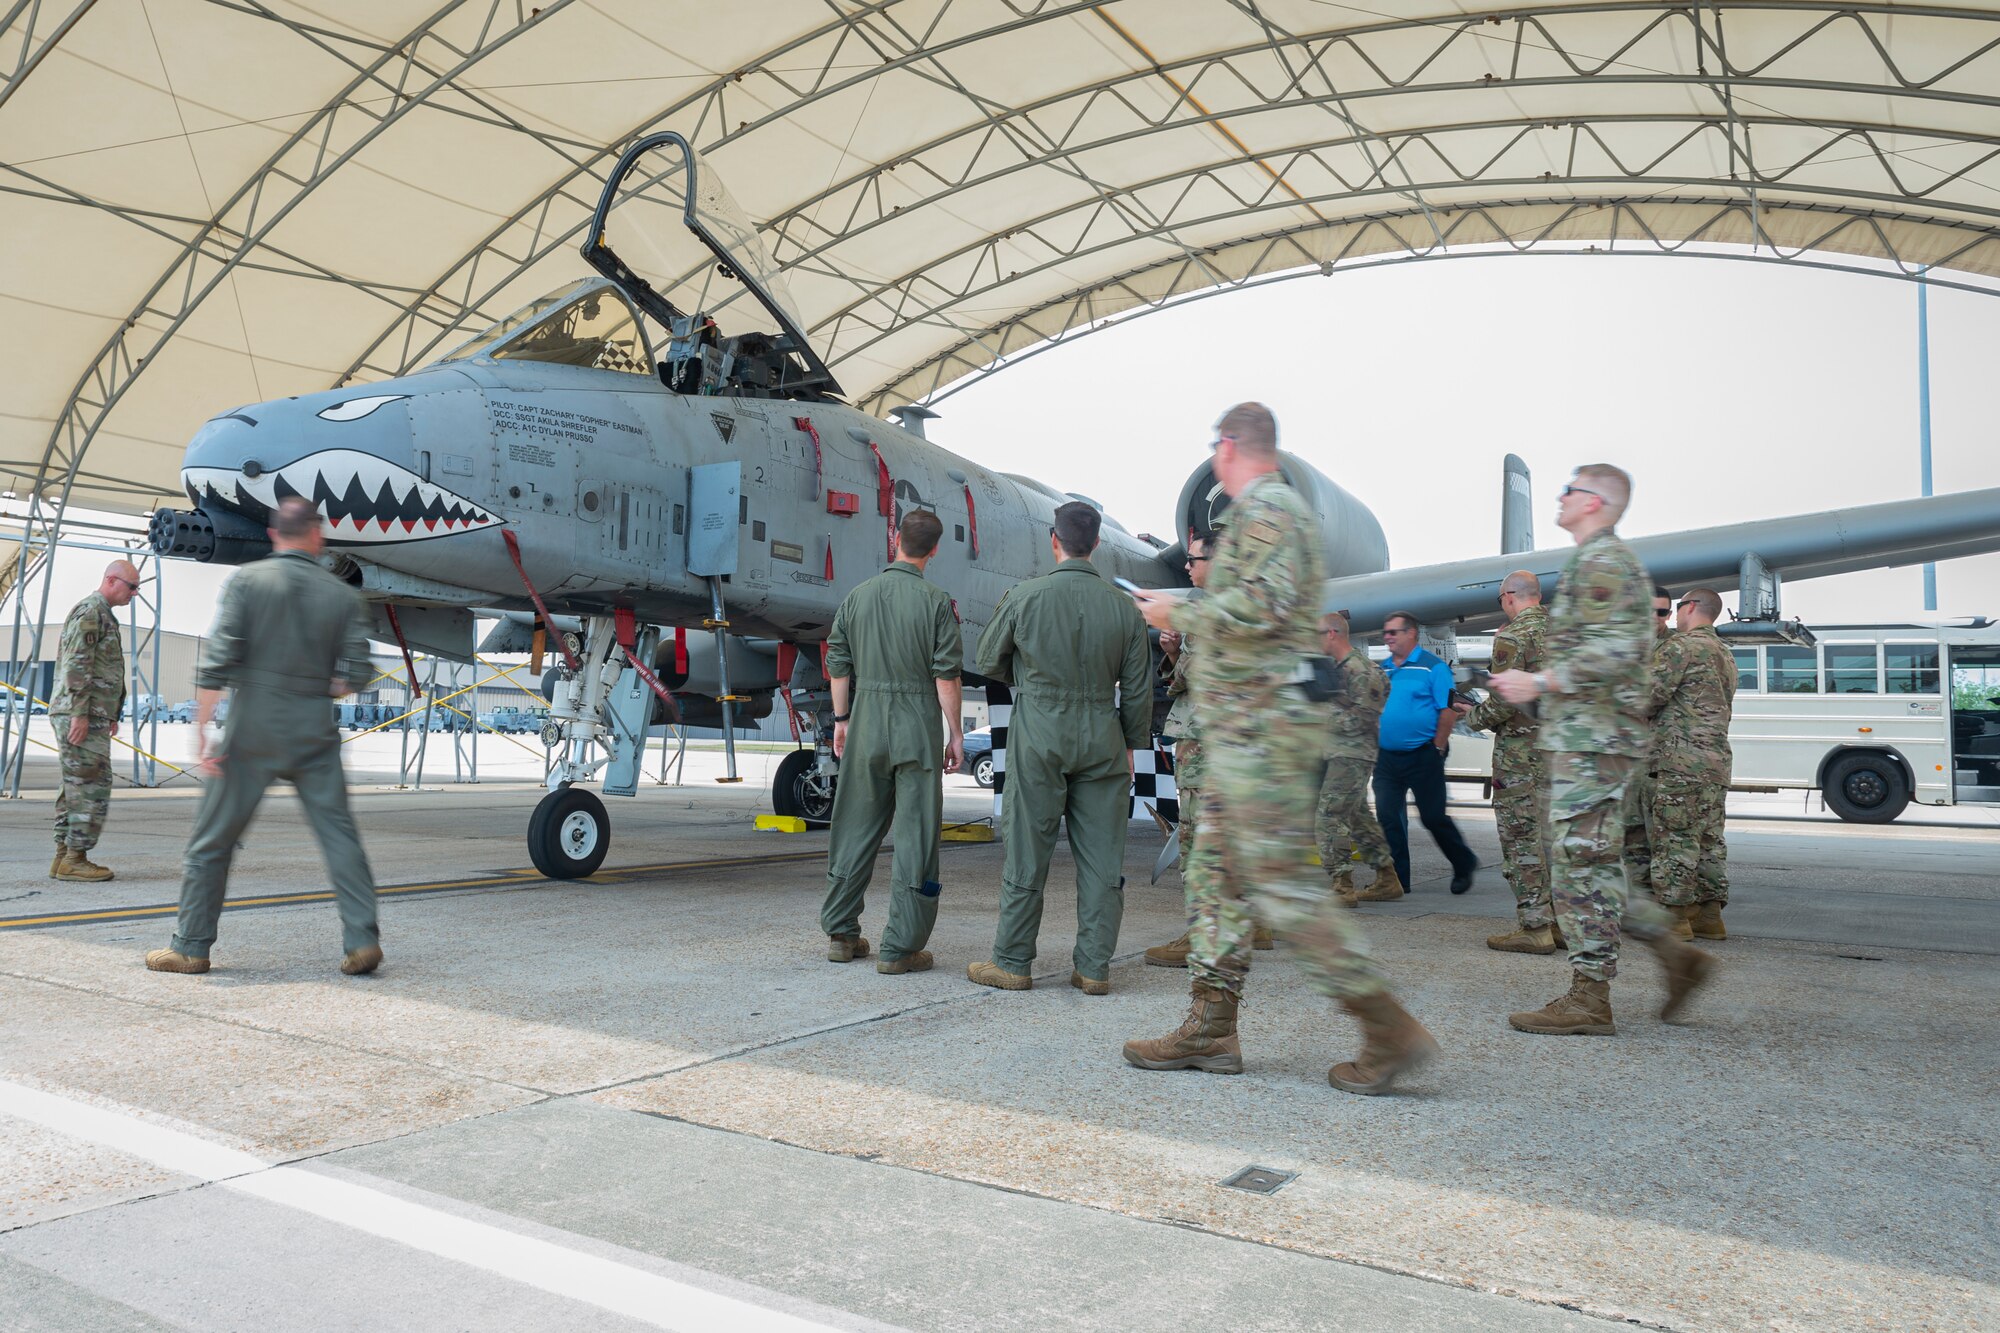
1693, 698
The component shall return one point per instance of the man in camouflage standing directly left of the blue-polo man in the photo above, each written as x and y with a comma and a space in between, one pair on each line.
1345, 824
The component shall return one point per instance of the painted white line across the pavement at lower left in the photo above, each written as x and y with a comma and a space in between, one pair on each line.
559, 1270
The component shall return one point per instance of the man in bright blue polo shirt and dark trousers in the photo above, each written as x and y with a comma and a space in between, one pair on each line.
1417, 728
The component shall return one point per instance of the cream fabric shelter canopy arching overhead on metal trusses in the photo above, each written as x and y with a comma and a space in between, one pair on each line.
211, 203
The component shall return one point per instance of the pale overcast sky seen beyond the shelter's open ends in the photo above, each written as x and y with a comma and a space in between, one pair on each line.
1731, 391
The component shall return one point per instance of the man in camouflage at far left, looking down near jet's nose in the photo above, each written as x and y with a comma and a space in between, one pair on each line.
85, 714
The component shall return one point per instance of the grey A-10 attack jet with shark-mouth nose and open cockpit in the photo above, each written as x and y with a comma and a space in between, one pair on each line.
653, 475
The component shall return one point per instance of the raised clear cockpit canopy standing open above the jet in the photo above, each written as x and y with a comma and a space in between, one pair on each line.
671, 235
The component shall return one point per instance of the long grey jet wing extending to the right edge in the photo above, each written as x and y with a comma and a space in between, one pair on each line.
1835, 541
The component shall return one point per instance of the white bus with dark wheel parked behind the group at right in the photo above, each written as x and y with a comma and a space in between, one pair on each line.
1873, 718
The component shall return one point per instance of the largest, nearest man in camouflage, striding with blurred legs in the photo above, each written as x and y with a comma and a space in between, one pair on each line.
1263, 758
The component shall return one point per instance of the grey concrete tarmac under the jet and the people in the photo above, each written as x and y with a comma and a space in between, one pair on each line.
647, 1100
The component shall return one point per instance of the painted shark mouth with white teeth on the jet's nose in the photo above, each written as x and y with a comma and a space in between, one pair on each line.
363, 497
